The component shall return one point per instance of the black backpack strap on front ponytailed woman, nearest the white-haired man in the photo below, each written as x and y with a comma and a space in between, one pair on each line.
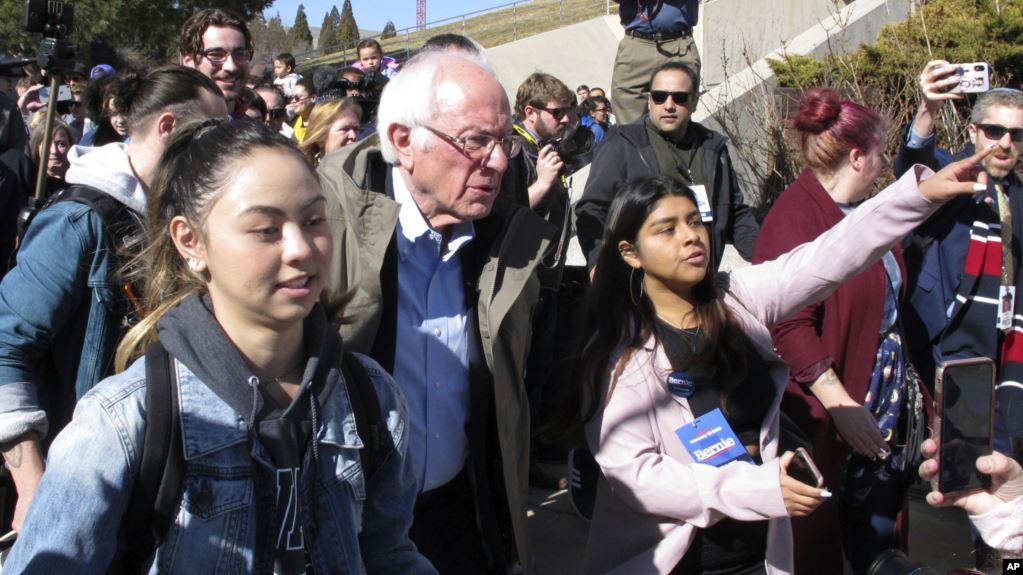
377, 441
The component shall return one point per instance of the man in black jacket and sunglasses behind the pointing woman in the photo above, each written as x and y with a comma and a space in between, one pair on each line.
668, 143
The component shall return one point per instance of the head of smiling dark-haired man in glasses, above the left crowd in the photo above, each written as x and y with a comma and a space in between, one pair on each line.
220, 47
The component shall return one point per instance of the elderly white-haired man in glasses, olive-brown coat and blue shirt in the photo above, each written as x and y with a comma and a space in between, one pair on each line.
440, 272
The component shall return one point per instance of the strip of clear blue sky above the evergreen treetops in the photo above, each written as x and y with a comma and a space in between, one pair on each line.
373, 15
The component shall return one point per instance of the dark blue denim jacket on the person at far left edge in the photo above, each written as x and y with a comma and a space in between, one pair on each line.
60, 300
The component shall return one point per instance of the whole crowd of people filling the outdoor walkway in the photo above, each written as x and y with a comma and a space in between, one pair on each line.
321, 325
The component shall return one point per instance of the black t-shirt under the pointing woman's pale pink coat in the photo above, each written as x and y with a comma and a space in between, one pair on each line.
729, 547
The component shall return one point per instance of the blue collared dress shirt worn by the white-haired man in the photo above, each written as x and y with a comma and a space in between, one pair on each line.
431, 362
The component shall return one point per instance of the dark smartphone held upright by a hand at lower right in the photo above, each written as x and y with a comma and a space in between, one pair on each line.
965, 422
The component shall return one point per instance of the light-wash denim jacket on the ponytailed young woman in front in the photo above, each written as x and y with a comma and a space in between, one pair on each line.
73, 523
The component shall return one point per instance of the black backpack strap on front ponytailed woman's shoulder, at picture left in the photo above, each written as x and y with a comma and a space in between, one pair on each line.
158, 486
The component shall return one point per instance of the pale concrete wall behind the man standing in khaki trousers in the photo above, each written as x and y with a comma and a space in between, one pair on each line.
585, 54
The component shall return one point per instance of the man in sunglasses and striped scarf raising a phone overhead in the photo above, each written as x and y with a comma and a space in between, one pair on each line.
965, 281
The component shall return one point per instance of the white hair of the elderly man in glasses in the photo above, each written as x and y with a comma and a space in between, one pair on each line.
411, 99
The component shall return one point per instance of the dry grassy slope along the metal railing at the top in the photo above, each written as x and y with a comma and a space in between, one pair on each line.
491, 28
